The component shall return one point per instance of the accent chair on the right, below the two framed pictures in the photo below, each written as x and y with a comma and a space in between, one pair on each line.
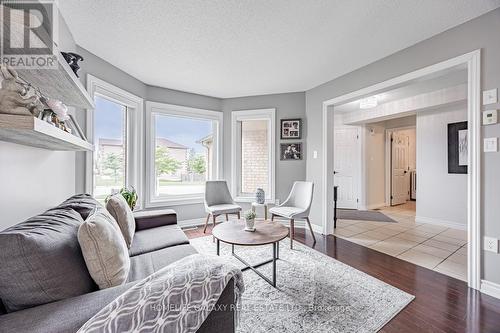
296, 207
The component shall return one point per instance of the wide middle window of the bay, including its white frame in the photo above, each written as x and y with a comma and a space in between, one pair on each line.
183, 151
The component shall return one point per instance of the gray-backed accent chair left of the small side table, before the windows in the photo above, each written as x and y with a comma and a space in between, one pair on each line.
218, 201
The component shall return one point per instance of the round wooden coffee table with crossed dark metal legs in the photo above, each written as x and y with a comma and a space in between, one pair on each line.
266, 232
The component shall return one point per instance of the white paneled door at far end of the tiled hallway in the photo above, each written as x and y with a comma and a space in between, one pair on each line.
400, 168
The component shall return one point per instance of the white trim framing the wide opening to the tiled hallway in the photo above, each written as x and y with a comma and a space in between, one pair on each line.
471, 61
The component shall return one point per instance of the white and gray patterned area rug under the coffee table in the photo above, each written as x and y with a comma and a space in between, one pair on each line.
315, 293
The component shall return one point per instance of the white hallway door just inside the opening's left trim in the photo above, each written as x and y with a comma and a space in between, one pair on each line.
346, 165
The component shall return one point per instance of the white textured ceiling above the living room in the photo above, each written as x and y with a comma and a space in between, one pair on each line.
230, 48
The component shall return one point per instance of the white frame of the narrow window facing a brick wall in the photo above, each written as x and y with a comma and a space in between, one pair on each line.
258, 114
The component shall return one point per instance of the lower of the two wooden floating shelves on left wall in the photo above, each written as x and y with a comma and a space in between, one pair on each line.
31, 131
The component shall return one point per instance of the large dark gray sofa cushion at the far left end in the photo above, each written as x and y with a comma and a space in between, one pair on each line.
41, 261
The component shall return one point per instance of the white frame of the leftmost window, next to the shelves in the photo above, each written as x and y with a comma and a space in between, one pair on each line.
134, 133
